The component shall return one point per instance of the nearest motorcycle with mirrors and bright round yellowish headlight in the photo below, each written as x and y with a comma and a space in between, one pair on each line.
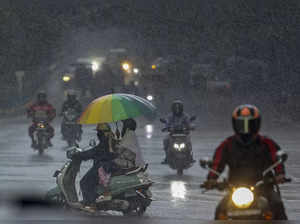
244, 201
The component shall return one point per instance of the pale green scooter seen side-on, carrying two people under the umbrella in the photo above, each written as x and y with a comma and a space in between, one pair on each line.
130, 191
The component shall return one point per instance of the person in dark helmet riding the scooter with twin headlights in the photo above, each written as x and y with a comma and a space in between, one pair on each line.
177, 119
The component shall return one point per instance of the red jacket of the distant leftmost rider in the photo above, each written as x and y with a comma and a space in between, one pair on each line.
46, 110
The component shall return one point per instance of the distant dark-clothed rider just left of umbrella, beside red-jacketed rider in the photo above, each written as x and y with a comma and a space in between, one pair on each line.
71, 103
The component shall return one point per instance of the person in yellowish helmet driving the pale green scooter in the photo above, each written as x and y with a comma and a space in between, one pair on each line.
107, 156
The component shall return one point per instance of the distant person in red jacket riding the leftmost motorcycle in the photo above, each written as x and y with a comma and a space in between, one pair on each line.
41, 105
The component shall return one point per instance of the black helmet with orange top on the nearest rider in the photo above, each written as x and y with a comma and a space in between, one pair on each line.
246, 120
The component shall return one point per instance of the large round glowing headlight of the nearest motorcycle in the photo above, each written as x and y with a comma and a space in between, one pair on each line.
242, 197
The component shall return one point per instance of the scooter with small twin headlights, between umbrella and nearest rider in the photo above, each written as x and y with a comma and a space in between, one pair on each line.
179, 152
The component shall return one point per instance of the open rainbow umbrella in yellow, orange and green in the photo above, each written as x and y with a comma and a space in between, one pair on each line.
116, 107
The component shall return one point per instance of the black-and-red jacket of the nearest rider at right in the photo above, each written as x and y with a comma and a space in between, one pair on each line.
246, 162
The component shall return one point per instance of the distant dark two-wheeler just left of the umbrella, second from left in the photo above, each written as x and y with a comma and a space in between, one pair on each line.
71, 130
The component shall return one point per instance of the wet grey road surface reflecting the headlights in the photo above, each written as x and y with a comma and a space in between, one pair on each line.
177, 198
